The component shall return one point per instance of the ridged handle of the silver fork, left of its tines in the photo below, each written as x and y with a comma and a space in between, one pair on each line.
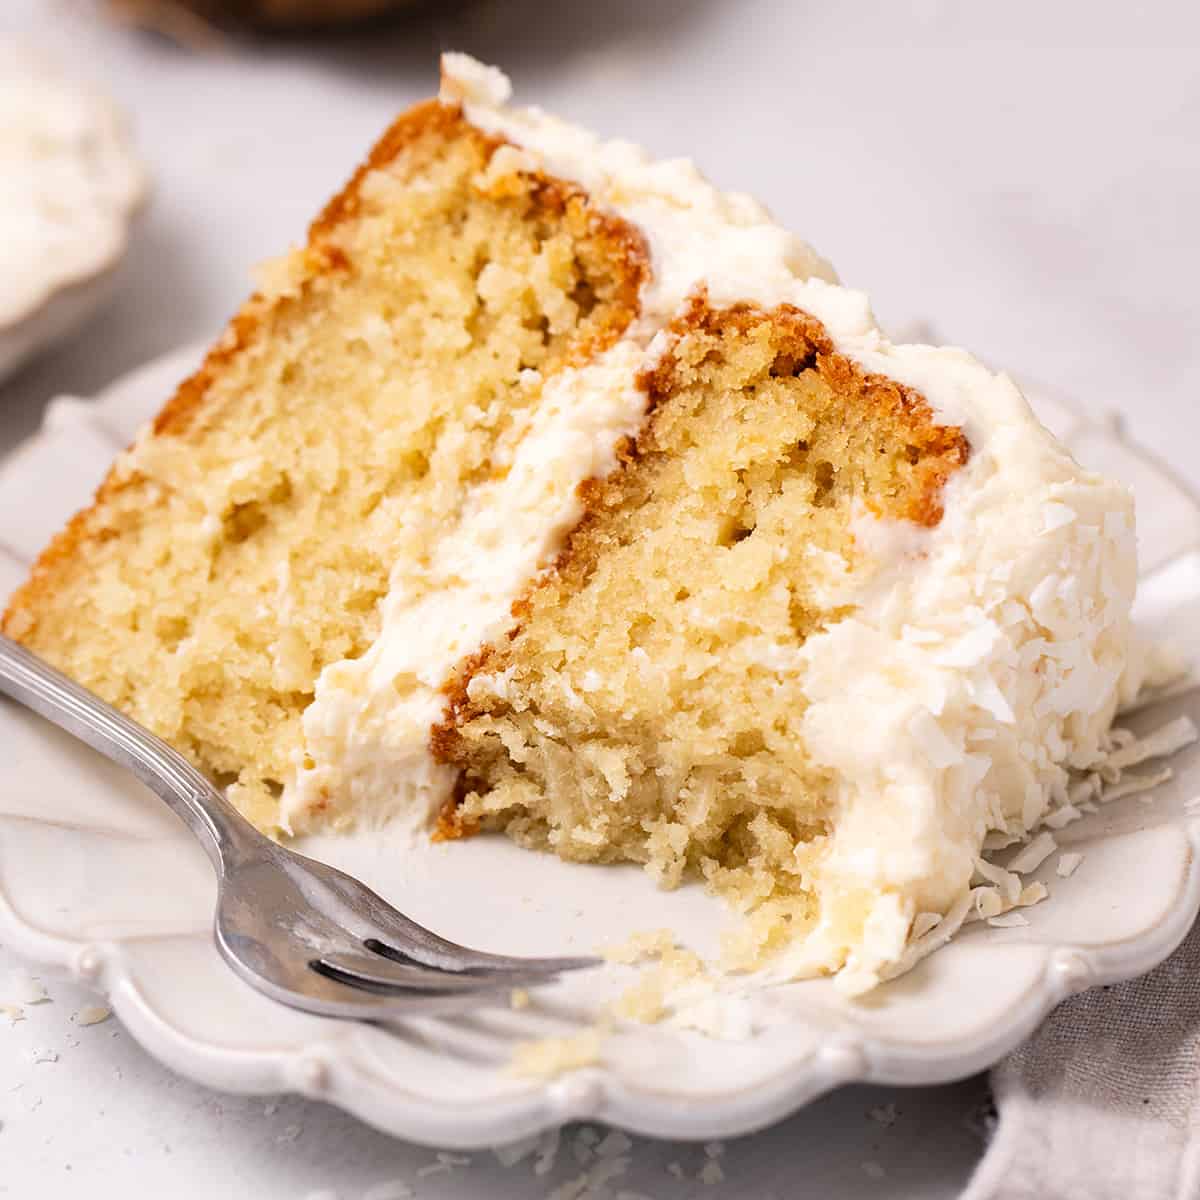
219, 826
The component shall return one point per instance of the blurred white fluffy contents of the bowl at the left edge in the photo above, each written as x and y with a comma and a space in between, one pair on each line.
69, 183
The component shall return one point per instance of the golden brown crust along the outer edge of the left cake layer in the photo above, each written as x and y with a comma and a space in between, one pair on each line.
320, 259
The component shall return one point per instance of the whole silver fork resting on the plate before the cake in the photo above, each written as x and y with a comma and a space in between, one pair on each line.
296, 929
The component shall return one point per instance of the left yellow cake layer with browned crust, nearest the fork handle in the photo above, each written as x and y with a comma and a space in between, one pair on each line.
337, 434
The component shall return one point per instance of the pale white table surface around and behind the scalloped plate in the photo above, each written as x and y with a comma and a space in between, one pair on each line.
1025, 175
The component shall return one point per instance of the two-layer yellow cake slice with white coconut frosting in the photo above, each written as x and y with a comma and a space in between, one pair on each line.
550, 490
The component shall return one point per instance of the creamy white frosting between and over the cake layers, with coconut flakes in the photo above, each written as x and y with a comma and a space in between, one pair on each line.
985, 659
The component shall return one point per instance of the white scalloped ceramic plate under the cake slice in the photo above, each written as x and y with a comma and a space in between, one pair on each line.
97, 879
